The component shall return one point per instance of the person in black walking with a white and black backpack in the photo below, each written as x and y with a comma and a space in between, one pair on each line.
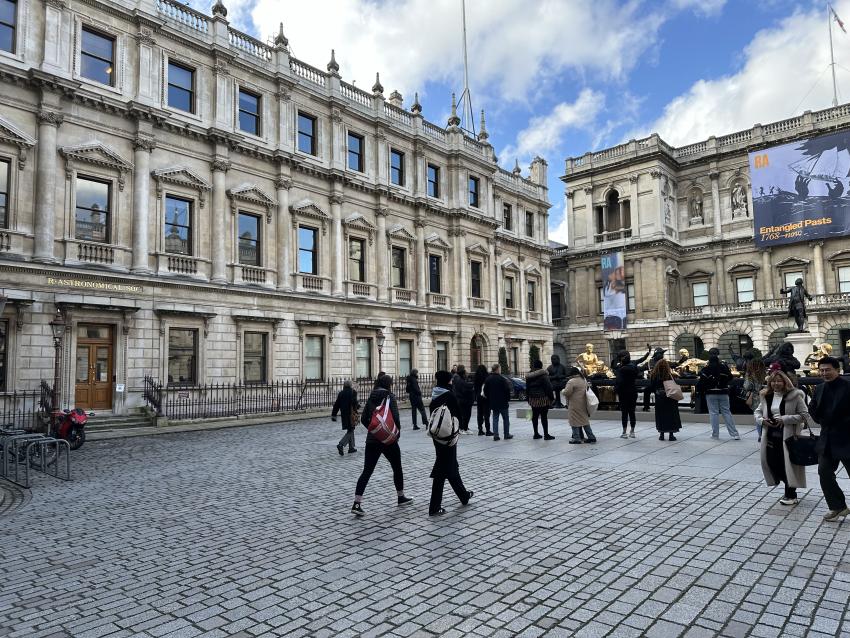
444, 406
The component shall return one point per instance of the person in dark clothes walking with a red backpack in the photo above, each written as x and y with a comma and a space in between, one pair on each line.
375, 449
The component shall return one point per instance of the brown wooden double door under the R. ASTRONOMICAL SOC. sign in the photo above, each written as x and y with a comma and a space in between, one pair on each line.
95, 367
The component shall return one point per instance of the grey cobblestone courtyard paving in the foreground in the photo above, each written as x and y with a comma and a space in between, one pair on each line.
246, 532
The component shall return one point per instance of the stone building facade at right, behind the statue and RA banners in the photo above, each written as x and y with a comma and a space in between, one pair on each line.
683, 218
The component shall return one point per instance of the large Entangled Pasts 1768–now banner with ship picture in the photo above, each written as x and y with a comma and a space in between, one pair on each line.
800, 190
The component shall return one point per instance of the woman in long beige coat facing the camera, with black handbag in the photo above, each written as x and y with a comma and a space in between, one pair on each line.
781, 414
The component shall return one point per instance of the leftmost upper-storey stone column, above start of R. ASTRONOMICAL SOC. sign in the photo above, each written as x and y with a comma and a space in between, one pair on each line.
45, 197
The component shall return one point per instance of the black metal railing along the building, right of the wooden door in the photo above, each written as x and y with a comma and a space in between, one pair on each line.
216, 400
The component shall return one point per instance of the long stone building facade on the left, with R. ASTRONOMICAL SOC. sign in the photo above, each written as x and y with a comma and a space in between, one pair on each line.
203, 207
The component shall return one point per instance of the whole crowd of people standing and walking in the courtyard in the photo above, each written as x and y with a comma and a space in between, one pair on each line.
780, 413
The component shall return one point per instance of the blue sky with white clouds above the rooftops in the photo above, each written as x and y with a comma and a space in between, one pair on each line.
558, 78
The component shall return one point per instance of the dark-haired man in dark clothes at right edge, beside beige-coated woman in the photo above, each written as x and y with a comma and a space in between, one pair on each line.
830, 407
